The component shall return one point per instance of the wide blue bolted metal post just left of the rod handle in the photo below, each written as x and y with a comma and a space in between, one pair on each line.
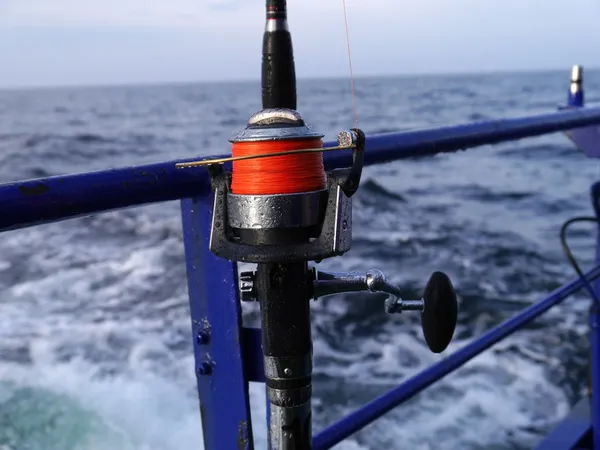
217, 334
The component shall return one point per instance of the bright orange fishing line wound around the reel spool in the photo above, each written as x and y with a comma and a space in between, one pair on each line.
289, 174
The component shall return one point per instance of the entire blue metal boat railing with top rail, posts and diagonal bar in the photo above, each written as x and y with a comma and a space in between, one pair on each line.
225, 357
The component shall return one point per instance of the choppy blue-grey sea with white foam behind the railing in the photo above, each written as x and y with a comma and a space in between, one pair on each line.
95, 345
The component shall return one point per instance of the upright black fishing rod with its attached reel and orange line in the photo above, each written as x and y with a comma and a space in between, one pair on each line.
278, 208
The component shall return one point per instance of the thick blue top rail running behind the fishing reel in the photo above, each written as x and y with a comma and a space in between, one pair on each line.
50, 199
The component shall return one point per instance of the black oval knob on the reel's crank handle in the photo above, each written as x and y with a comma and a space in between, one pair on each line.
440, 312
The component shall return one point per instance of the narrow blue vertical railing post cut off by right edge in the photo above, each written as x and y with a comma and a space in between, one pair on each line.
594, 321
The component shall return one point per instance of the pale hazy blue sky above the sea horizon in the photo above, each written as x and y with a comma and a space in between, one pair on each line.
88, 42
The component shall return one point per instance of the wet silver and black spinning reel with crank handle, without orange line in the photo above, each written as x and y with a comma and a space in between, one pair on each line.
311, 226
